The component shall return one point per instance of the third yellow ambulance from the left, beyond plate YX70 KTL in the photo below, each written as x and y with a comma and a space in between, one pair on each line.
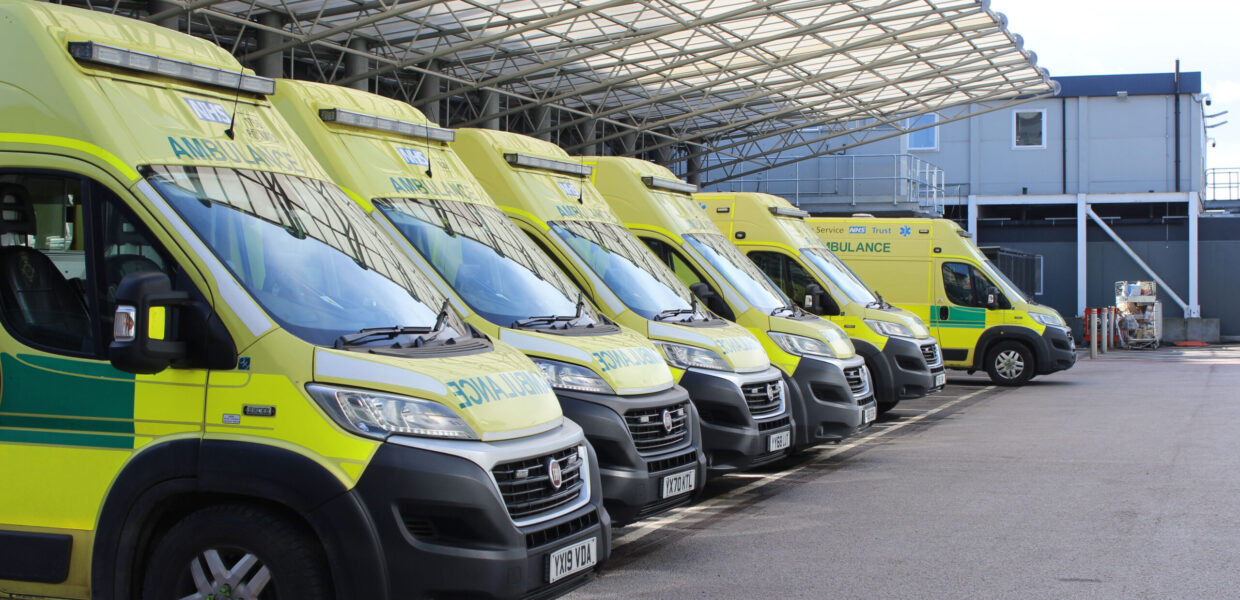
742, 400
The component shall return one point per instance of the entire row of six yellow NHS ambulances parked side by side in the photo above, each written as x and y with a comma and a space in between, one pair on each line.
275, 339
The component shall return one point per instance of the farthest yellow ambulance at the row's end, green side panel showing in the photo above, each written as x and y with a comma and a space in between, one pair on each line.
932, 268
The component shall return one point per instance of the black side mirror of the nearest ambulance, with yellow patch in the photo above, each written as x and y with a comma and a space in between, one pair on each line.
144, 324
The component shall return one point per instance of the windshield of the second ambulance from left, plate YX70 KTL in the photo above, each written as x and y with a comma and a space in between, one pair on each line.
494, 267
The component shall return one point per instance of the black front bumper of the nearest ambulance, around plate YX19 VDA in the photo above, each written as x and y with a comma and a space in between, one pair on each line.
445, 531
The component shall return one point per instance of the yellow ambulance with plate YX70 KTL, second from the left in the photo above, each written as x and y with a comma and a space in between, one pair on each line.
609, 380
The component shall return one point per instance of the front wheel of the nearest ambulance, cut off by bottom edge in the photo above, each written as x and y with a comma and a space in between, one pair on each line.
241, 554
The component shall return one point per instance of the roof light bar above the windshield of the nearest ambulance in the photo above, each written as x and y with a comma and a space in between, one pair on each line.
143, 63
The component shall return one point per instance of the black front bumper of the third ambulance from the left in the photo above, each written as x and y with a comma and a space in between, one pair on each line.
732, 438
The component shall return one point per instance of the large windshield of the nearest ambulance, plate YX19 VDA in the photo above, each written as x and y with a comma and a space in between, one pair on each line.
308, 255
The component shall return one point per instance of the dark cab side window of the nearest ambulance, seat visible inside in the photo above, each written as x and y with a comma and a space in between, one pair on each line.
65, 245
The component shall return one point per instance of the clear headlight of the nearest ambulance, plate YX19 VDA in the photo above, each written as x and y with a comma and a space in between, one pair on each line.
379, 415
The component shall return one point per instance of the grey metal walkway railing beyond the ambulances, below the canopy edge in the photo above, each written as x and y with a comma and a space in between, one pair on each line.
901, 180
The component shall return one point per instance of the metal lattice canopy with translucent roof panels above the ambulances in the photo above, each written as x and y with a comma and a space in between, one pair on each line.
715, 89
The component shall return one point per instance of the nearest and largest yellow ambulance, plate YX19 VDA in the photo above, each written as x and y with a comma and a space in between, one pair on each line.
221, 379
